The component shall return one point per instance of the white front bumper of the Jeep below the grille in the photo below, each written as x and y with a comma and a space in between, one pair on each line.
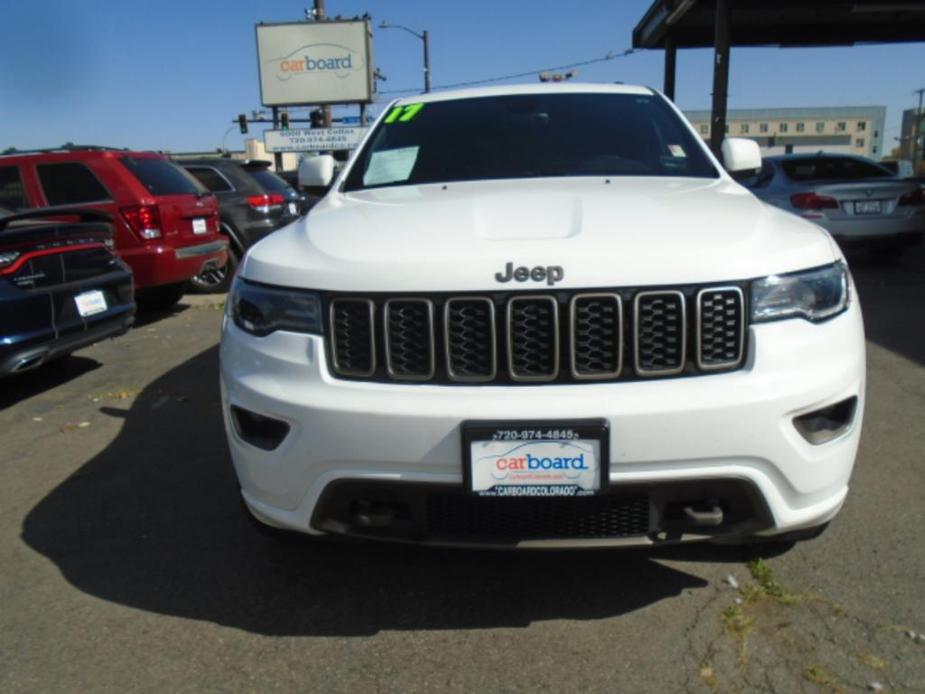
665, 433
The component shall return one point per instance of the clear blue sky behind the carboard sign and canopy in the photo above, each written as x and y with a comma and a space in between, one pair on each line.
172, 75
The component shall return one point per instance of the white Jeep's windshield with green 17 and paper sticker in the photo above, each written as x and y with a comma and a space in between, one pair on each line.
529, 135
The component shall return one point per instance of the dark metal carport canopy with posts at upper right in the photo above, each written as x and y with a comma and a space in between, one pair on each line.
673, 24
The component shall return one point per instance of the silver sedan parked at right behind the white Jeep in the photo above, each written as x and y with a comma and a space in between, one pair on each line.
858, 201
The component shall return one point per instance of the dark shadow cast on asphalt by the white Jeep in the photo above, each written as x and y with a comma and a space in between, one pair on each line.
154, 522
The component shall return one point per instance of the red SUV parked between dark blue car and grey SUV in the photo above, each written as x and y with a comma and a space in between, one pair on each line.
166, 222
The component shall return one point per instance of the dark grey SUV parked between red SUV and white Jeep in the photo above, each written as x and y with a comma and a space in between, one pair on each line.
252, 202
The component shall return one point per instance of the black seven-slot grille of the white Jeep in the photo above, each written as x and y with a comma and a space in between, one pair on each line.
560, 337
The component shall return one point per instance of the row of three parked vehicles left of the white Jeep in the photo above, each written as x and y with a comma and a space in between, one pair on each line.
87, 232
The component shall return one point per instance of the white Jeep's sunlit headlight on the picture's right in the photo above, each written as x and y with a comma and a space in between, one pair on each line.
812, 294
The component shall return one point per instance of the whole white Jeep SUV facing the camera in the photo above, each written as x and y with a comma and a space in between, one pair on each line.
543, 316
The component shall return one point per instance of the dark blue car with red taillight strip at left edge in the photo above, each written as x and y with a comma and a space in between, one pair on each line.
61, 287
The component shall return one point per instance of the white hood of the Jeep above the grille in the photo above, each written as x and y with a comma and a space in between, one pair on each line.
621, 232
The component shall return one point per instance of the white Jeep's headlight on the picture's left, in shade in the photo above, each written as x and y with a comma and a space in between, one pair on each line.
260, 309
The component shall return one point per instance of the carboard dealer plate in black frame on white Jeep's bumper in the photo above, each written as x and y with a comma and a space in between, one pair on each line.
537, 459
